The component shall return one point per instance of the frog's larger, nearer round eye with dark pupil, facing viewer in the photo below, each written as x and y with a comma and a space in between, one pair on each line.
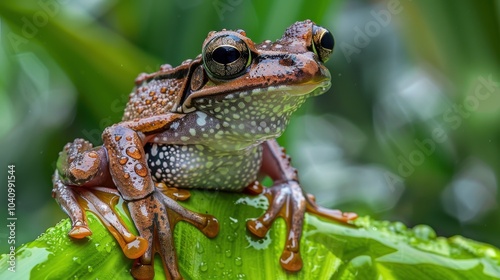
226, 56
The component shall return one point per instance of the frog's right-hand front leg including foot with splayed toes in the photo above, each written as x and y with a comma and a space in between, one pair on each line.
287, 200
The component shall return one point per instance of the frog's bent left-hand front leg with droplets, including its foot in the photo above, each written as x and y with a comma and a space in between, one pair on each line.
154, 213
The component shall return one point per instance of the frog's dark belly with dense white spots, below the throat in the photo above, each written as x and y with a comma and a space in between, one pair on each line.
197, 166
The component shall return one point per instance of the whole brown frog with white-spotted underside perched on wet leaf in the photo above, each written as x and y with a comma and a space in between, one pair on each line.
210, 123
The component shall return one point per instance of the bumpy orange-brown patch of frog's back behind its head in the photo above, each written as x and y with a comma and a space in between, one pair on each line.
157, 93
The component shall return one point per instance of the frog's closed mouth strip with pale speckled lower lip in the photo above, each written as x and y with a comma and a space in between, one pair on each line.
277, 92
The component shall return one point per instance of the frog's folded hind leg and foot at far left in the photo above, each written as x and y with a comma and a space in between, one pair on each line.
81, 183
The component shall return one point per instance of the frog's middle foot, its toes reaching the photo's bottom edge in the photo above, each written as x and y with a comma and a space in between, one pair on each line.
155, 217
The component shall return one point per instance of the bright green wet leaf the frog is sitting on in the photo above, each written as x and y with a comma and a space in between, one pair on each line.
367, 249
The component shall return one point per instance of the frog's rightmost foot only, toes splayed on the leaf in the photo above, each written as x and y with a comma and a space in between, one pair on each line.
289, 202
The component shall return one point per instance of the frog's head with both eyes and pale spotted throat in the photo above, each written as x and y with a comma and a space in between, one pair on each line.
249, 84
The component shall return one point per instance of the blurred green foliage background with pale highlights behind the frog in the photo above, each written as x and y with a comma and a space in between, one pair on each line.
409, 131
